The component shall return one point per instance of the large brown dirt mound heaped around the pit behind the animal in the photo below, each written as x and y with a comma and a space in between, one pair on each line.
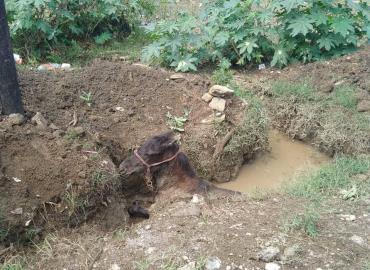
66, 173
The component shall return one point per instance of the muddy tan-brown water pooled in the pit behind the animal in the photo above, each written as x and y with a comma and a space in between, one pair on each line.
286, 159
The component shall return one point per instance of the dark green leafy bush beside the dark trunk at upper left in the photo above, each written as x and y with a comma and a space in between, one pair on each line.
38, 27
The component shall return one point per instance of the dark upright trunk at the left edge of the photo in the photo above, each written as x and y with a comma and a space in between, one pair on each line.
10, 95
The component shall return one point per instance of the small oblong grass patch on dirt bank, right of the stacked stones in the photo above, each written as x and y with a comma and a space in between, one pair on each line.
302, 90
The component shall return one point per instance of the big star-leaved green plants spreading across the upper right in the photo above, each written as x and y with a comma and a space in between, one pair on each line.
253, 31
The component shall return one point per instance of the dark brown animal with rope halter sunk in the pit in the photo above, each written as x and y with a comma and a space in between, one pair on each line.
159, 165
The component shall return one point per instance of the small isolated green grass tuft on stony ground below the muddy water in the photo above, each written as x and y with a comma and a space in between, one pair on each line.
306, 222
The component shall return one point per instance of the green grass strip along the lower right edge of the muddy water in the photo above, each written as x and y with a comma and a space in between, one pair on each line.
329, 178
